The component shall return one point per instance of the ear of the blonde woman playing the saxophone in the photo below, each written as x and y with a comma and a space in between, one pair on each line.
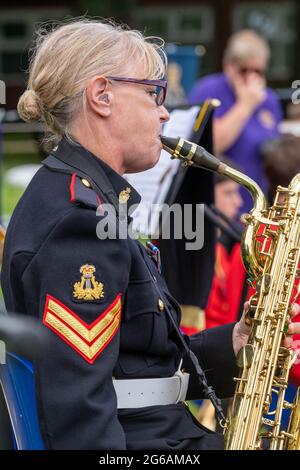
98, 96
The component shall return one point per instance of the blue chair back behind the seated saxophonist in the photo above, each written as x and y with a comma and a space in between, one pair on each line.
17, 382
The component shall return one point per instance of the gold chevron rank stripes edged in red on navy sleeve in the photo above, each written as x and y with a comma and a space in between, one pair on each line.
88, 340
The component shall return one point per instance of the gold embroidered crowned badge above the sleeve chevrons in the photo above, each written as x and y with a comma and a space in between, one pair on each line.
88, 288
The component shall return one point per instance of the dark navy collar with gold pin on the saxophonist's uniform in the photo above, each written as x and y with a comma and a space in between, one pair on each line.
78, 157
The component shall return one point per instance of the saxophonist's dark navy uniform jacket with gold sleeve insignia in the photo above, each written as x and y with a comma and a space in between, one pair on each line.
100, 301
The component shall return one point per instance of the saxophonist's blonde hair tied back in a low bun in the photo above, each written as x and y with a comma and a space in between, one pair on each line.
65, 58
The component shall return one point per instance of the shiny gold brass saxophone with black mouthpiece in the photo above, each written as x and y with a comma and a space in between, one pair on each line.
271, 253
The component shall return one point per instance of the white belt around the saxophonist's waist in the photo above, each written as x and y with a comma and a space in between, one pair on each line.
137, 393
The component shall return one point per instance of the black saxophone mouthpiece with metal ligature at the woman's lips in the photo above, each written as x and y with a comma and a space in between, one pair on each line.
191, 153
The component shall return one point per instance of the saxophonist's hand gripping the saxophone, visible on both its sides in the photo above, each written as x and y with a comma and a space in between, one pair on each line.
242, 330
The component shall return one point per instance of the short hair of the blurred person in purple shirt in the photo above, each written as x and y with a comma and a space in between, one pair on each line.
246, 44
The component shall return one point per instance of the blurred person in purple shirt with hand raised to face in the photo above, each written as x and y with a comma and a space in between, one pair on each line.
249, 113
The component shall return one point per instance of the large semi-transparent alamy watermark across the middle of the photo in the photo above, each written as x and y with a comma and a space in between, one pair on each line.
175, 222
